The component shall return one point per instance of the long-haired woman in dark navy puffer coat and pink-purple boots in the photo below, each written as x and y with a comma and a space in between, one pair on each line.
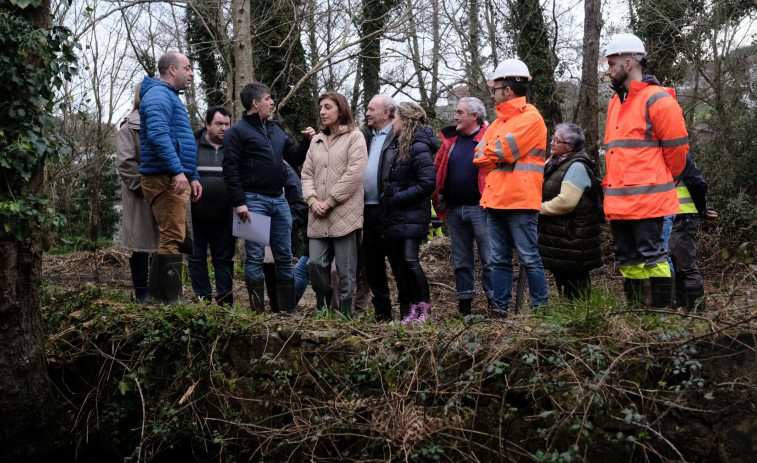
406, 207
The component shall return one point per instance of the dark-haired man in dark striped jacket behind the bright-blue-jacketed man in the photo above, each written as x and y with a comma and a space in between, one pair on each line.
211, 215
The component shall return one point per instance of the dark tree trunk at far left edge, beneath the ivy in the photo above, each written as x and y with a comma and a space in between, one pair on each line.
27, 408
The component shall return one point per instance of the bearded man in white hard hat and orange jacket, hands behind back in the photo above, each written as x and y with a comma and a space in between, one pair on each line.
646, 145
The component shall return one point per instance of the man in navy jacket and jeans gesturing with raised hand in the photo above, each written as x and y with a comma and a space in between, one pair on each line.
253, 167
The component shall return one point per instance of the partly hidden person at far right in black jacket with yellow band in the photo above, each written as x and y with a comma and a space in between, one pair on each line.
692, 198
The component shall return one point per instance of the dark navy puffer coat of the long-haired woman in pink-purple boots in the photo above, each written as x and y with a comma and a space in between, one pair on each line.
406, 188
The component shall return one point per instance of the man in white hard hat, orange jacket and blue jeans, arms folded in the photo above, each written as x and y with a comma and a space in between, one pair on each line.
512, 153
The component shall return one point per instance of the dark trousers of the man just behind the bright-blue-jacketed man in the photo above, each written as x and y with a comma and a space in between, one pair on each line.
218, 236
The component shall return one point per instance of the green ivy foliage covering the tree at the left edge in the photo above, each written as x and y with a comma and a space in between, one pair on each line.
33, 62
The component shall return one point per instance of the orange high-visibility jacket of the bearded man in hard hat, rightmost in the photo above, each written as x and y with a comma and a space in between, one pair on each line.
646, 145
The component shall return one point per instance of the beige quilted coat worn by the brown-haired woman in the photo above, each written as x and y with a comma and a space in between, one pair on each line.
334, 172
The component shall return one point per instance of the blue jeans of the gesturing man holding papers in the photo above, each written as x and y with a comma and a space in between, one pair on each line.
281, 237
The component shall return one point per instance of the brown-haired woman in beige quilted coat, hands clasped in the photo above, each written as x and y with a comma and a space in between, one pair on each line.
332, 185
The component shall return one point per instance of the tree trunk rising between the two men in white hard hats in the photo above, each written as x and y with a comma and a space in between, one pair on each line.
588, 94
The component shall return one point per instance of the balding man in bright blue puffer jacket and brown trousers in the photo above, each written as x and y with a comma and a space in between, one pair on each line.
168, 168
